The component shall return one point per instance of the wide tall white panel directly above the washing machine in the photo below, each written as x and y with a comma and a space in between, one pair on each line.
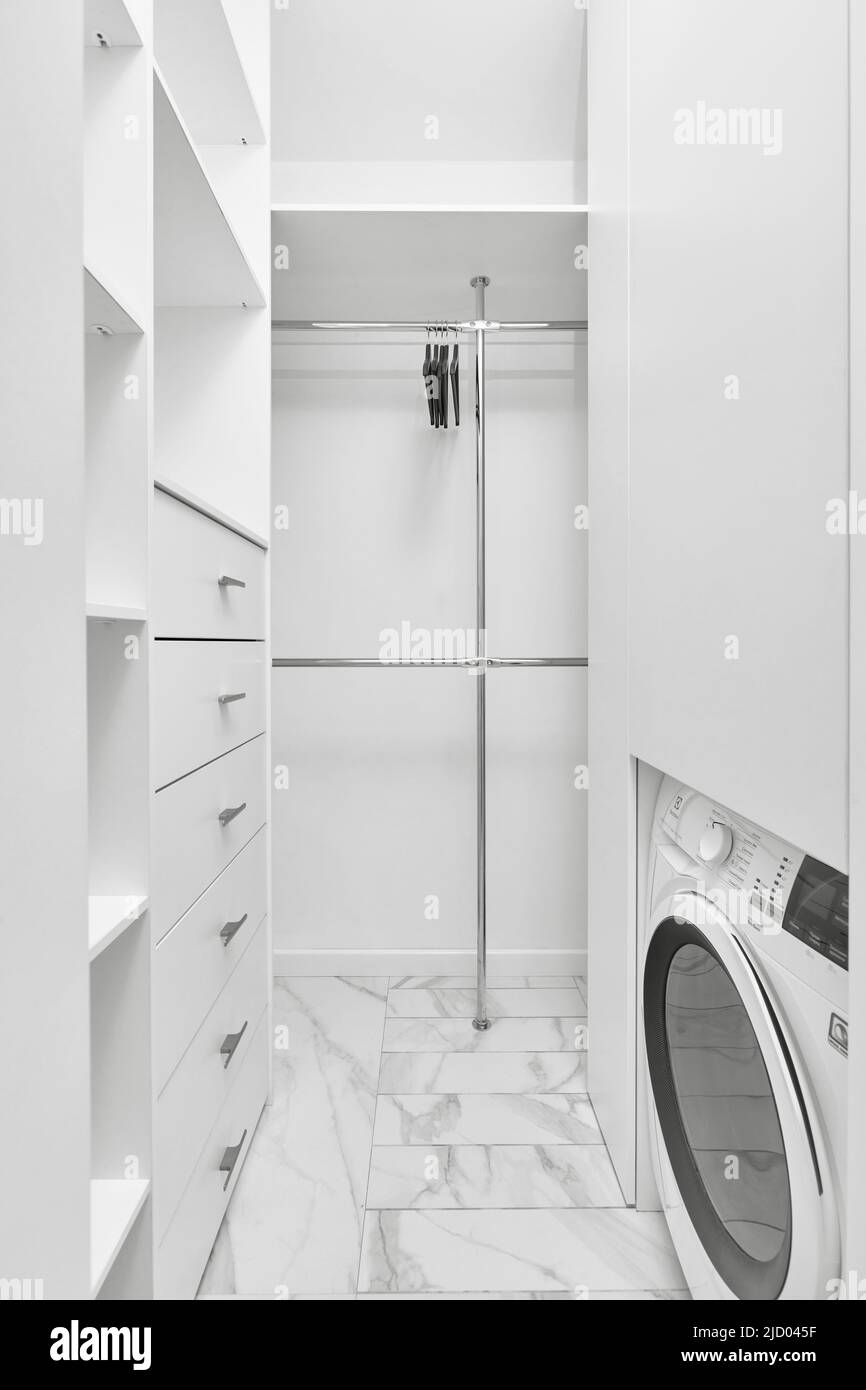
737, 268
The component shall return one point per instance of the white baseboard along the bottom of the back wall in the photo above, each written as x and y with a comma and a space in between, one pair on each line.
393, 961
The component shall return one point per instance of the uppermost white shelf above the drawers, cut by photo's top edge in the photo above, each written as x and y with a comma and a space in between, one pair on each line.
197, 51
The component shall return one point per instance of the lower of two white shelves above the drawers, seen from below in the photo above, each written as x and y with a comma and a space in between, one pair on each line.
199, 258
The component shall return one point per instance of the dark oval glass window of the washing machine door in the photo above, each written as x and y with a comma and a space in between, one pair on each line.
726, 1104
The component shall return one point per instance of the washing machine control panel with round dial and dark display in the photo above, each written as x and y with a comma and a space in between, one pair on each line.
765, 885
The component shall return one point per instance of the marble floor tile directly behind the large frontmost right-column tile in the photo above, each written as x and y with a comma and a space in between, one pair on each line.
493, 1175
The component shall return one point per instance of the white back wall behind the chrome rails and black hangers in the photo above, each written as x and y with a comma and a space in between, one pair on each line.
382, 808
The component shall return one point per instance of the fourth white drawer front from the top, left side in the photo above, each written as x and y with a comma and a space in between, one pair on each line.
194, 963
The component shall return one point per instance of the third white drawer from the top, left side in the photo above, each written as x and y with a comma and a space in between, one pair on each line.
198, 829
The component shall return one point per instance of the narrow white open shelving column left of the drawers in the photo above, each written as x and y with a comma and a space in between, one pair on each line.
119, 345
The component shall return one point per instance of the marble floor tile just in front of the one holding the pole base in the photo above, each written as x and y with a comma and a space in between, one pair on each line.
482, 1072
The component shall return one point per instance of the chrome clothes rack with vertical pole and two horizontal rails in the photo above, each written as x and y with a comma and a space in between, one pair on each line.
479, 329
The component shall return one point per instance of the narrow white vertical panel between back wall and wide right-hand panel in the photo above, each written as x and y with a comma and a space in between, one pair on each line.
611, 882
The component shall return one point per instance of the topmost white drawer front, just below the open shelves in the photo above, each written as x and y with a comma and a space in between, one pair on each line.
191, 555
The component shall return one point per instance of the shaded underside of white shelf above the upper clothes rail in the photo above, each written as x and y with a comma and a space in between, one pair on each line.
412, 265
